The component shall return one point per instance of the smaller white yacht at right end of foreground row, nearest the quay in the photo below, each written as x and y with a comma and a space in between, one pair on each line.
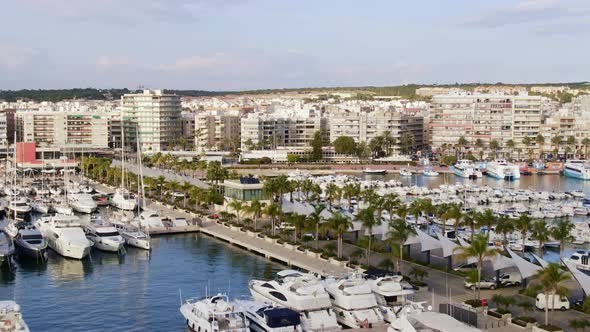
390, 294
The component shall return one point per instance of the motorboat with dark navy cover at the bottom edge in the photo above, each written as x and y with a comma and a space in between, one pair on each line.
267, 318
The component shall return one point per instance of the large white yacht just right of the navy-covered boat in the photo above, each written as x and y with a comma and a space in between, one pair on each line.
301, 292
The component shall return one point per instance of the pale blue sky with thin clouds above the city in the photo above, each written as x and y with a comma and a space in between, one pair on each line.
257, 44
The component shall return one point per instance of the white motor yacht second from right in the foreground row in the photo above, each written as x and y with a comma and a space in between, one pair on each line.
354, 303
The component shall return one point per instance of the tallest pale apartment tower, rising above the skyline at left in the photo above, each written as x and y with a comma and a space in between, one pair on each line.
153, 117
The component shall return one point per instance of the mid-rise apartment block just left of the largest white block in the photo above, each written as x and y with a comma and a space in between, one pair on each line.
367, 123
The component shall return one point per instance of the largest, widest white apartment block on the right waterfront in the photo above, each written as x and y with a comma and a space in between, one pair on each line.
486, 117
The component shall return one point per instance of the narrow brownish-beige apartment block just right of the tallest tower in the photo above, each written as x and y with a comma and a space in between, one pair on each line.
217, 130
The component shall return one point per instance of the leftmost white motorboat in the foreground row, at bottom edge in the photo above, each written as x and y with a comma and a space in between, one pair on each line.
214, 314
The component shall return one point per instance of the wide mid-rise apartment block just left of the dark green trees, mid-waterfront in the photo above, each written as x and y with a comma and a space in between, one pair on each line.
280, 129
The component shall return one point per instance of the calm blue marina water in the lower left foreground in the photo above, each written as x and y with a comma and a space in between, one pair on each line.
136, 292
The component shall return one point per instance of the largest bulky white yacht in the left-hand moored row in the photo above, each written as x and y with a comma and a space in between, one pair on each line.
64, 234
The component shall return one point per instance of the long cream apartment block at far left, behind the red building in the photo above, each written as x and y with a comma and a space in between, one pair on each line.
64, 129
